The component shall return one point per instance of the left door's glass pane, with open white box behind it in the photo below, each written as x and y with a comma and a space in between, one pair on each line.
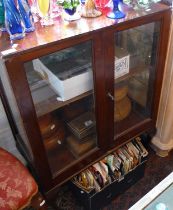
61, 86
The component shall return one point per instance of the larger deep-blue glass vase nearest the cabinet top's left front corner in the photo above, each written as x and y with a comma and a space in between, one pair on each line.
13, 21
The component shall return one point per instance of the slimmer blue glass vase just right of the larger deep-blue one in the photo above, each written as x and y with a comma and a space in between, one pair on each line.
25, 12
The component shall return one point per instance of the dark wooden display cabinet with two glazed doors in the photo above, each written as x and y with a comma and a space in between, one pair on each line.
85, 88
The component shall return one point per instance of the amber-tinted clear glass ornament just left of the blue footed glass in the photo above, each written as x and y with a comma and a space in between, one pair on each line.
89, 9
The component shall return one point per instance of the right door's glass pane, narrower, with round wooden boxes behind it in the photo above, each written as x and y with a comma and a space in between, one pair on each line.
134, 75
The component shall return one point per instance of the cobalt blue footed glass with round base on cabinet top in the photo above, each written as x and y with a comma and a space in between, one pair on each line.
115, 13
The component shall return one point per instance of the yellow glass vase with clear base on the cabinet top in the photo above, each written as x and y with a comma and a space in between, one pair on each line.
44, 8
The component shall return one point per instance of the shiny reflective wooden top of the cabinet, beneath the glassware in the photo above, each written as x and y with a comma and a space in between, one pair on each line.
62, 30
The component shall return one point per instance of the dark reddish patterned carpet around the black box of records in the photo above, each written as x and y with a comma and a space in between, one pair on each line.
157, 168
